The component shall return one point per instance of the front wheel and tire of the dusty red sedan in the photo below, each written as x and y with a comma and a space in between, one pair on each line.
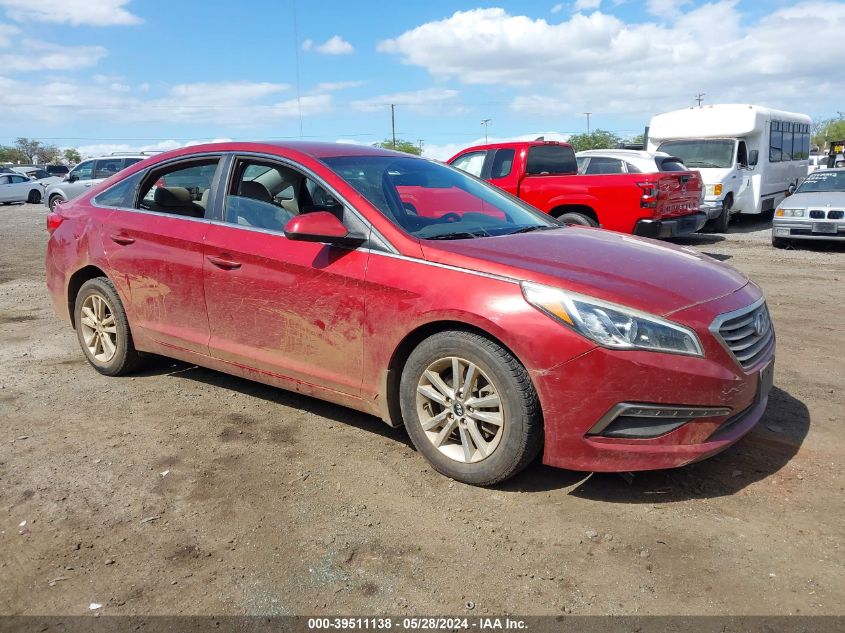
506, 446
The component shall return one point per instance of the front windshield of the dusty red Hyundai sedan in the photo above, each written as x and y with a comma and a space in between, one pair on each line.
433, 201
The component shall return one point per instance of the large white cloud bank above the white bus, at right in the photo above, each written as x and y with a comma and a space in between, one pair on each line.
636, 68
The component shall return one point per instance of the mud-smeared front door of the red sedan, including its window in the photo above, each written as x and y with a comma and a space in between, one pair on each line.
292, 309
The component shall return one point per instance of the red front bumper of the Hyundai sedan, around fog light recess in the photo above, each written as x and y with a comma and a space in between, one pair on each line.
574, 437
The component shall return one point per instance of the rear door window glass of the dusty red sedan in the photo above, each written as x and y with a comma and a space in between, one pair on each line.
181, 189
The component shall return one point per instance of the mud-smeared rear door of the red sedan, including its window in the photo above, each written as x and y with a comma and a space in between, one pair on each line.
154, 246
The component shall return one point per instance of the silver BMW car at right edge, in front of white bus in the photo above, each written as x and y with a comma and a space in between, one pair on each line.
815, 211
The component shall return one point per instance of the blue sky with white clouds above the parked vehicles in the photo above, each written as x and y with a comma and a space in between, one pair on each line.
127, 74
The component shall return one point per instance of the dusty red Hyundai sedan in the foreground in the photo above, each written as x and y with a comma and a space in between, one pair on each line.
488, 329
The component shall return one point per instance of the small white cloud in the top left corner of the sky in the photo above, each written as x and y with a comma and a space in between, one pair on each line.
74, 12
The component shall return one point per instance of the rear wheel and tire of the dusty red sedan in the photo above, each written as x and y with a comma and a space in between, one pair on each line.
120, 357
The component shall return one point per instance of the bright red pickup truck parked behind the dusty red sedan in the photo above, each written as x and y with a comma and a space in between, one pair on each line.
545, 175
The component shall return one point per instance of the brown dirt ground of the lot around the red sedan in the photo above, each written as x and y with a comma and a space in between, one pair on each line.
185, 491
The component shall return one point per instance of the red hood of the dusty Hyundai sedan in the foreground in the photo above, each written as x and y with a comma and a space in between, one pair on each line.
641, 273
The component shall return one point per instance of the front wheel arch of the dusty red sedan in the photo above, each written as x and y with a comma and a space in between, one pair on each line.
391, 413
